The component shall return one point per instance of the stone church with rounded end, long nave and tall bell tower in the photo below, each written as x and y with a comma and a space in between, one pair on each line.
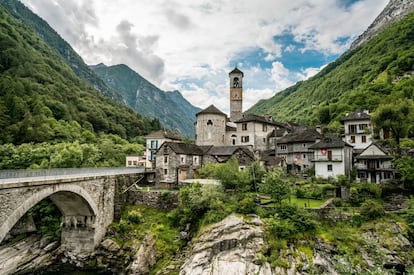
213, 127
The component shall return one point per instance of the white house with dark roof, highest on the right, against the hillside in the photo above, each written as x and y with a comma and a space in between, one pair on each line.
358, 129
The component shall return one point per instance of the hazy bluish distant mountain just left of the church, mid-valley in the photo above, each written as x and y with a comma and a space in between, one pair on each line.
171, 108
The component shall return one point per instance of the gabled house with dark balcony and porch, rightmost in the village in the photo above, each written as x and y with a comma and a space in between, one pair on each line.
374, 164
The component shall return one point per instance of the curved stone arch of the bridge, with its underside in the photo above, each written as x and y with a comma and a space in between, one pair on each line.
72, 200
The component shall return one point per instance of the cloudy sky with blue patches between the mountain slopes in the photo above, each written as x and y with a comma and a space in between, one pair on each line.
191, 46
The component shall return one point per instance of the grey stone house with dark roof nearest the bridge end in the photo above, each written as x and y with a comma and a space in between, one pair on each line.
176, 161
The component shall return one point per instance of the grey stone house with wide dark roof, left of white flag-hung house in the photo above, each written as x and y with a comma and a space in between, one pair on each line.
294, 149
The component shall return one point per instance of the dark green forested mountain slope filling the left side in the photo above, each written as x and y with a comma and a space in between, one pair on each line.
43, 100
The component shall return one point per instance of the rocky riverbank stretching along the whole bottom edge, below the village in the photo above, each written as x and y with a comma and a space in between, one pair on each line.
236, 245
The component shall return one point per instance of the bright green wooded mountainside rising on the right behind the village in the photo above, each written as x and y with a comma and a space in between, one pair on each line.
377, 72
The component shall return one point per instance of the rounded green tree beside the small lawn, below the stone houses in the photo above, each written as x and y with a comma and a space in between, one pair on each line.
276, 186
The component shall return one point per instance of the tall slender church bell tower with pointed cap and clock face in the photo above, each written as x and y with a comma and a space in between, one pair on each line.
236, 94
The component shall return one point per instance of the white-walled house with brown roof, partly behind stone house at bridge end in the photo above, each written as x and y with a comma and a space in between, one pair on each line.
154, 141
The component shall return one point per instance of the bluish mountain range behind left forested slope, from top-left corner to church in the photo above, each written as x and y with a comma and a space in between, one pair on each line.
177, 113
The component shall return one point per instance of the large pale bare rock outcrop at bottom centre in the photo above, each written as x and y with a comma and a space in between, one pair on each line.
228, 247
